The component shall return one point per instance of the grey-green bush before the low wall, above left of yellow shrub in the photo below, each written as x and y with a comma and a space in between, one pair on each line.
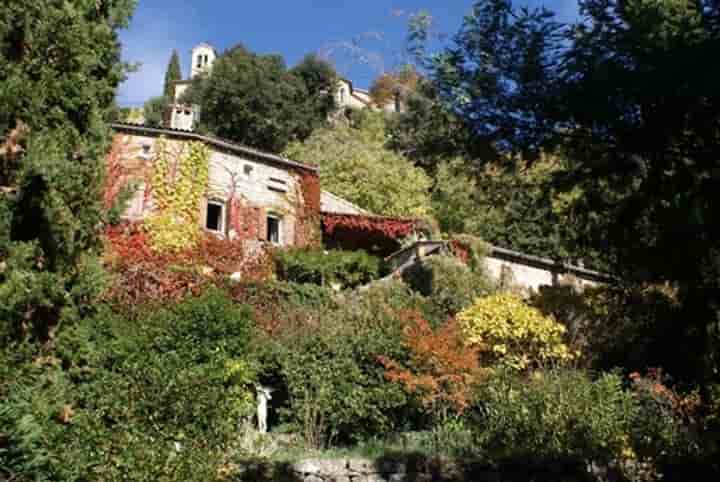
449, 284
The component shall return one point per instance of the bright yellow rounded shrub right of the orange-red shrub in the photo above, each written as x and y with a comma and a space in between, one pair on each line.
509, 331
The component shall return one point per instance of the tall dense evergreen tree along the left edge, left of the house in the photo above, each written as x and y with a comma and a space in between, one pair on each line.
61, 67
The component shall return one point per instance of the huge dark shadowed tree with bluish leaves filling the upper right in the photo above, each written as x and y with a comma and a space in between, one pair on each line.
628, 94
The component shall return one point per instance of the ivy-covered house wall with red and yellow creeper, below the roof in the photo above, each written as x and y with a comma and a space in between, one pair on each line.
172, 175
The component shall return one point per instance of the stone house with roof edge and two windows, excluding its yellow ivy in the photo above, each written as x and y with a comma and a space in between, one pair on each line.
251, 195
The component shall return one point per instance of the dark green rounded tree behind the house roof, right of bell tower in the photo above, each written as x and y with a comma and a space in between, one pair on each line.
253, 99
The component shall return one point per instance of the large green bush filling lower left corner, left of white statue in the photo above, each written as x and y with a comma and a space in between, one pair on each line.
158, 399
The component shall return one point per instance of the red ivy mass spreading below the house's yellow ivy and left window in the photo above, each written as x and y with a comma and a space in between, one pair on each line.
144, 275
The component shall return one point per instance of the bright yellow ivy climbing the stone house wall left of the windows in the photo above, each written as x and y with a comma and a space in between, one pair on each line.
179, 182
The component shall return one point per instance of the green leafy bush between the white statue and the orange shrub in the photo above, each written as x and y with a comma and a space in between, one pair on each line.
337, 392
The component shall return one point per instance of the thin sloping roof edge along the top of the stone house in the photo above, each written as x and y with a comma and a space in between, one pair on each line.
213, 141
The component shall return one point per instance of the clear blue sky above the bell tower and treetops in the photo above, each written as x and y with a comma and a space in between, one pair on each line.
291, 28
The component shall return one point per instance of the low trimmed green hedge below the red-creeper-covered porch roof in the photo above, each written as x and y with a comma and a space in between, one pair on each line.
346, 268
